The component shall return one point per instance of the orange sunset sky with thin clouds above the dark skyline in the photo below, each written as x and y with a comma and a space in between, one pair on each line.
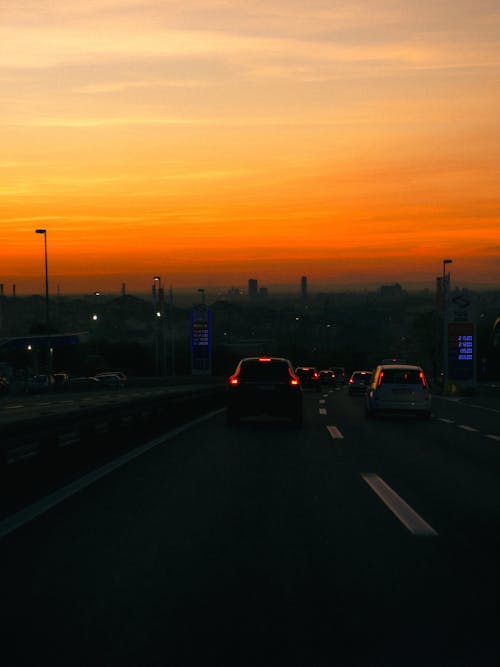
210, 141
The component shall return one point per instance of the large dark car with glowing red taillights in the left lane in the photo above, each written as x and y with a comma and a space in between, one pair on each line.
264, 386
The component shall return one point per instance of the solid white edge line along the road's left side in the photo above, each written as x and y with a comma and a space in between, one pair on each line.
19, 519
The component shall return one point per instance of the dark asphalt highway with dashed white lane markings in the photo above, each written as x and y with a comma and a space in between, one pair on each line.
347, 542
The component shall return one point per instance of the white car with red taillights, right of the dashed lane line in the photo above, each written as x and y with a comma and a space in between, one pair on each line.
400, 389
